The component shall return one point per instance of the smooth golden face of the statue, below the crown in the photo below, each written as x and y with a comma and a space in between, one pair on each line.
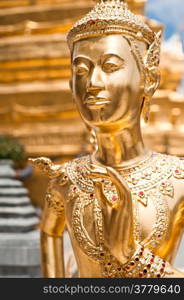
106, 82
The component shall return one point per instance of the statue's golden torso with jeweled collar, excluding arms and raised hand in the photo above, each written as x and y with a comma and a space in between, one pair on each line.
157, 197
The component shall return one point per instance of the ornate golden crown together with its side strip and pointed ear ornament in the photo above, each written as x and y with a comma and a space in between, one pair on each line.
114, 17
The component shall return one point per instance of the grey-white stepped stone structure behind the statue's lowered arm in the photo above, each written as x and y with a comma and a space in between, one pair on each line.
19, 234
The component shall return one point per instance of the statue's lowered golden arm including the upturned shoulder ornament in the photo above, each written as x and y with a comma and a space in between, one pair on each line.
53, 220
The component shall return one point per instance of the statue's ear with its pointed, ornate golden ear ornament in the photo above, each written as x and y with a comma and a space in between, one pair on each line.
152, 61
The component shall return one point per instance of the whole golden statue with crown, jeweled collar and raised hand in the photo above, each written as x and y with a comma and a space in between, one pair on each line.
123, 204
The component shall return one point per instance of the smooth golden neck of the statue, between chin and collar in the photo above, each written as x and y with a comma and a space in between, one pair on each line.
118, 148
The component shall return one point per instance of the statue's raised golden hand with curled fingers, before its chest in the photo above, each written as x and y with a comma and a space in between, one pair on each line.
118, 216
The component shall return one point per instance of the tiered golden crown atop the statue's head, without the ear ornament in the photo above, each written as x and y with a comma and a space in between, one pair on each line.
109, 17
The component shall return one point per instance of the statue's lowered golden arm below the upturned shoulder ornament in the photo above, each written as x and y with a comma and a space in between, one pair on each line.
51, 236
